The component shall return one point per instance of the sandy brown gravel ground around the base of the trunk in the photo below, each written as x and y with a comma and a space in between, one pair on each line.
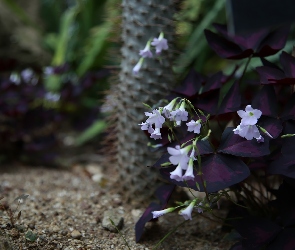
65, 211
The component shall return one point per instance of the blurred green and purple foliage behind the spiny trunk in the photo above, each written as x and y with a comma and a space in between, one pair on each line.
57, 61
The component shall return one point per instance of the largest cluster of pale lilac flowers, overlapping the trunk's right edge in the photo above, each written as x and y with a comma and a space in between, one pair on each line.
170, 113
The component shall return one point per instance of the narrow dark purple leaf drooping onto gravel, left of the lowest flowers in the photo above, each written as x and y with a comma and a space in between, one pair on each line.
146, 217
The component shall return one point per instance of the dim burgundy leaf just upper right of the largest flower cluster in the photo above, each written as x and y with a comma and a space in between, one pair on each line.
208, 102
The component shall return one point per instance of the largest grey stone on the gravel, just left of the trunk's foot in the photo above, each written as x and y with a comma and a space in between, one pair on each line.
116, 217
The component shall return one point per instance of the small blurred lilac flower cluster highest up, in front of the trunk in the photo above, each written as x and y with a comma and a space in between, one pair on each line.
159, 43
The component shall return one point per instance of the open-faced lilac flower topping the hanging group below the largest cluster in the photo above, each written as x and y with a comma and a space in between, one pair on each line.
179, 156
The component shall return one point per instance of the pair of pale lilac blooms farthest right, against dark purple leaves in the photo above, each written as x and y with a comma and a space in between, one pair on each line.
248, 128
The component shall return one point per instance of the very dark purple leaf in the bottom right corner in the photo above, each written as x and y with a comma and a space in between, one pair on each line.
284, 241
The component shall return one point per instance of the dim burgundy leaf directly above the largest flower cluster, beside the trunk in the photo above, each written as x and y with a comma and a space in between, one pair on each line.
191, 84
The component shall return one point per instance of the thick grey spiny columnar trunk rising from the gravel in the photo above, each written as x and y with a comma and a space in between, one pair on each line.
141, 21
